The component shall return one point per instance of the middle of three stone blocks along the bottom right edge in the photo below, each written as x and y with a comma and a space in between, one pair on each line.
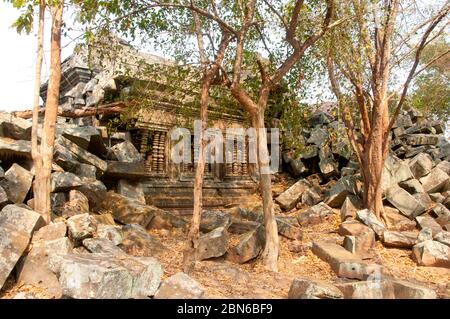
373, 289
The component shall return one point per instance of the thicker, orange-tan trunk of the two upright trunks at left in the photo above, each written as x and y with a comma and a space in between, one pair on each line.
43, 176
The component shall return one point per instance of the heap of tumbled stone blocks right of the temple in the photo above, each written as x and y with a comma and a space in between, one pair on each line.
416, 195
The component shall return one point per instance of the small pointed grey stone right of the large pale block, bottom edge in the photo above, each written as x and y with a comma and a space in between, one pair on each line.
180, 286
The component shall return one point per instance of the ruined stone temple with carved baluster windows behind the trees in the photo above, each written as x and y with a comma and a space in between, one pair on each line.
91, 83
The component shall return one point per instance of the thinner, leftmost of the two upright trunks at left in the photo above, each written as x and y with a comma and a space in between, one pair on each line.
39, 197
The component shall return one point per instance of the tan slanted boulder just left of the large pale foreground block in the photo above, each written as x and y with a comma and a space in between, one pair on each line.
34, 269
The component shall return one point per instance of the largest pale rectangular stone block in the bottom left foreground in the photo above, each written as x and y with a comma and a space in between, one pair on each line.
105, 276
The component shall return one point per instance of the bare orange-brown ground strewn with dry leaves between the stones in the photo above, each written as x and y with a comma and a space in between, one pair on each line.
223, 279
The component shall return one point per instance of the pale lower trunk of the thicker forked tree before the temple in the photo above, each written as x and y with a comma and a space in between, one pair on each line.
270, 253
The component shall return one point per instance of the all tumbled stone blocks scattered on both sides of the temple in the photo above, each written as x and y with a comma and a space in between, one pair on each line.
98, 245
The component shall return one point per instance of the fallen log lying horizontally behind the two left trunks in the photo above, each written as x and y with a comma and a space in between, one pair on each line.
106, 109
